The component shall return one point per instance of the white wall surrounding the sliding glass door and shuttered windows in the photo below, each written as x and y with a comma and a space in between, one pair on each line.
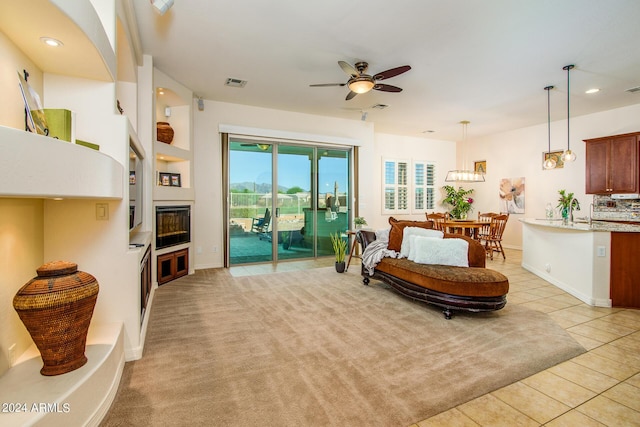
209, 226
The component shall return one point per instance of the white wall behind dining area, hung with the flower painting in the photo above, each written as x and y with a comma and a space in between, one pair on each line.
519, 154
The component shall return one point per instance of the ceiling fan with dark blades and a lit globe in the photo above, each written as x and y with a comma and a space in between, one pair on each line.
359, 82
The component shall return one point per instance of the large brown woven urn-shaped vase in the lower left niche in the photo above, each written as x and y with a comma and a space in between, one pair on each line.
56, 308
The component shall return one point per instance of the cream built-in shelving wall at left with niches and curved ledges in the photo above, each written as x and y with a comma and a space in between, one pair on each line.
81, 194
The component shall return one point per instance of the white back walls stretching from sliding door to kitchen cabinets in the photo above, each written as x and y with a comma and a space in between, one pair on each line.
510, 154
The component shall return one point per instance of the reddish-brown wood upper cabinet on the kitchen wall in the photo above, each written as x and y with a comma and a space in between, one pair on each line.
612, 164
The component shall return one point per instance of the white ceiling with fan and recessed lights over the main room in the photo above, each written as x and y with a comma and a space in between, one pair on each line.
483, 61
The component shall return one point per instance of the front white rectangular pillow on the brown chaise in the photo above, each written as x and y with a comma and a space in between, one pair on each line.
431, 250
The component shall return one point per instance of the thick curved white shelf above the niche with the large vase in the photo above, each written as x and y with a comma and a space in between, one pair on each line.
39, 166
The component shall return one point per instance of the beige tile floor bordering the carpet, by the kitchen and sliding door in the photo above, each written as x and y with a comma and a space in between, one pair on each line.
598, 388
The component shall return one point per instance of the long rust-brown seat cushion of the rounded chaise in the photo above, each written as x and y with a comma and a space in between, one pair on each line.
460, 281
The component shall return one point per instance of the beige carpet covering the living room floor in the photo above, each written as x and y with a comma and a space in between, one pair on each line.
318, 348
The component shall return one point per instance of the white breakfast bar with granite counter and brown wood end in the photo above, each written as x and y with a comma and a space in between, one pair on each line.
582, 258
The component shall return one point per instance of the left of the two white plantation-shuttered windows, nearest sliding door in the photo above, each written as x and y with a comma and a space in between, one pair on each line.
395, 188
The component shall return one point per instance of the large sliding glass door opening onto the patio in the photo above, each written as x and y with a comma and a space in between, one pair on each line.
285, 200
